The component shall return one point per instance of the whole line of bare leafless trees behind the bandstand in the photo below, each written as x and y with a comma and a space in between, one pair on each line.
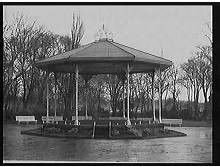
24, 85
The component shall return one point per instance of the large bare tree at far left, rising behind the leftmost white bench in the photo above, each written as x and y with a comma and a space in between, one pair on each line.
23, 46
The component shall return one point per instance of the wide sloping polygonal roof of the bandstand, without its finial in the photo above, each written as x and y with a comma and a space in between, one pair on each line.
103, 57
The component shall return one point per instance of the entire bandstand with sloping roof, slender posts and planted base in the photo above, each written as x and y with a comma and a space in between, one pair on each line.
105, 56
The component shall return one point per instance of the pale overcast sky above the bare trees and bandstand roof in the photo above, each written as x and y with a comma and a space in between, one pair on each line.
175, 29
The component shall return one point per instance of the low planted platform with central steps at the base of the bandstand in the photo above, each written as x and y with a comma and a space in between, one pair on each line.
100, 131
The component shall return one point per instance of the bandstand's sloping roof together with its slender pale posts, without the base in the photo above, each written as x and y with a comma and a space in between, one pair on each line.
104, 56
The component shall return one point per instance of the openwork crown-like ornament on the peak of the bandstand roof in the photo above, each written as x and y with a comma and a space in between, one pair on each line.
103, 34
